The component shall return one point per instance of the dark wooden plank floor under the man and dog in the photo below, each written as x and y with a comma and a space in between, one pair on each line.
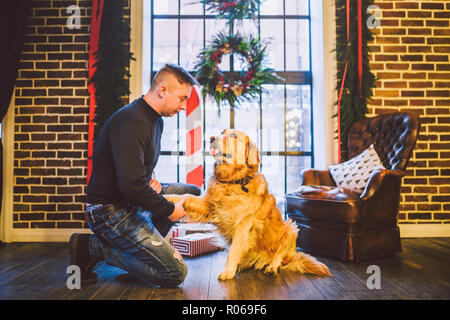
38, 271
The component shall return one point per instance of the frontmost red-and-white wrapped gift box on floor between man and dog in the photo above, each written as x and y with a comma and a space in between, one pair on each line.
194, 244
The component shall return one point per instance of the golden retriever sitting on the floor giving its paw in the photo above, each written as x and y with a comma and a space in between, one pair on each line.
238, 202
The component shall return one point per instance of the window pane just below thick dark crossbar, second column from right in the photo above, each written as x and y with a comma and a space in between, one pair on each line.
273, 118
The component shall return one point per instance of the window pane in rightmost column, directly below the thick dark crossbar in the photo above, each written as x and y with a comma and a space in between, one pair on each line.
298, 118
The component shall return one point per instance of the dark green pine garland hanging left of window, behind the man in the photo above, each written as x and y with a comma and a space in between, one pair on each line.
111, 78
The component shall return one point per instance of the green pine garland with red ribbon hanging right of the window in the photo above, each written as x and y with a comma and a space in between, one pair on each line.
353, 107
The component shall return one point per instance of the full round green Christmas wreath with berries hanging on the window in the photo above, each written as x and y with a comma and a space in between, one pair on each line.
248, 86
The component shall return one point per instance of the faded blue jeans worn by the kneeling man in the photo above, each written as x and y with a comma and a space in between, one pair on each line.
128, 238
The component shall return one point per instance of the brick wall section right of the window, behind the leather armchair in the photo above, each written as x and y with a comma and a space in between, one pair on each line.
410, 55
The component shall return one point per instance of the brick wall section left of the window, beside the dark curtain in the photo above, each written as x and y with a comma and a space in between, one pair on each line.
51, 119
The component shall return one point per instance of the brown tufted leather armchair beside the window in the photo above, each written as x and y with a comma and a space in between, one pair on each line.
344, 224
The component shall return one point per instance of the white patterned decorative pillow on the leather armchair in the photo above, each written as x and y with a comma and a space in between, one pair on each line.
354, 173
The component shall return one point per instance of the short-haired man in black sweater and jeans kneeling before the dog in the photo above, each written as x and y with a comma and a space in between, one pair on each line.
126, 209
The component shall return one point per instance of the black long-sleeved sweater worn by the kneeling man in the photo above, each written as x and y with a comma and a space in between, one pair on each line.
125, 154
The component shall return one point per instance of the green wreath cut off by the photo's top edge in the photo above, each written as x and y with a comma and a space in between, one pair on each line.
233, 9
